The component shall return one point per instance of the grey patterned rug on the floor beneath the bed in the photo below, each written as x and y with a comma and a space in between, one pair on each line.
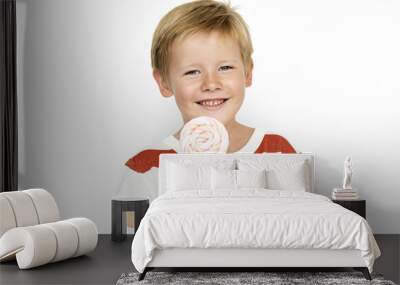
269, 278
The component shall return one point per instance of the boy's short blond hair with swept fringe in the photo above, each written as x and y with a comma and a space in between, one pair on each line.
198, 16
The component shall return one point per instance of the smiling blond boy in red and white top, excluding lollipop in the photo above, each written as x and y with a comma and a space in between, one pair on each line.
201, 56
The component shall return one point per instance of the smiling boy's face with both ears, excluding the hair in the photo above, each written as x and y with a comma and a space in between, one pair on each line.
207, 77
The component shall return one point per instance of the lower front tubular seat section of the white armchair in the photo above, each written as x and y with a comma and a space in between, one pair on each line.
40, 244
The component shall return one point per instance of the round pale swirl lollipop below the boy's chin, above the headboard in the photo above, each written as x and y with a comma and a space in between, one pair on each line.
205, 135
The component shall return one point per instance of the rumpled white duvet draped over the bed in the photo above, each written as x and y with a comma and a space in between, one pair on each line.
251, 218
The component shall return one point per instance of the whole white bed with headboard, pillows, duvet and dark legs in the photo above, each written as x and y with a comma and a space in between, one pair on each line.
247, 211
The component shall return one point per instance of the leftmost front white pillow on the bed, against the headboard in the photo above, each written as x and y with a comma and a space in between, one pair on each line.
182, 177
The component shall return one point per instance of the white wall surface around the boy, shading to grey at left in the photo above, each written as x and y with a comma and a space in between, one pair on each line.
327, 77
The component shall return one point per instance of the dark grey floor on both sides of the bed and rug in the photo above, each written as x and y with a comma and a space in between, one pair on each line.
111, 259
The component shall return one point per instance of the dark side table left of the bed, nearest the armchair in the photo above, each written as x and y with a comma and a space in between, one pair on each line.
119, 205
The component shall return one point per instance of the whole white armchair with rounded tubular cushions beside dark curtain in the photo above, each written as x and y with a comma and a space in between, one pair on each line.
31, 230
